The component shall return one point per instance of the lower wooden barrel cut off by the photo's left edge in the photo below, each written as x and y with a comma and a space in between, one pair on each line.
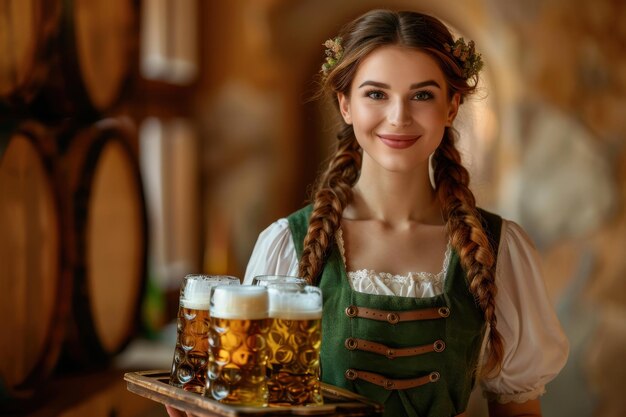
34, 285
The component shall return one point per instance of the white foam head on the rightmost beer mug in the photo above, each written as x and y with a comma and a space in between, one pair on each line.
295, 305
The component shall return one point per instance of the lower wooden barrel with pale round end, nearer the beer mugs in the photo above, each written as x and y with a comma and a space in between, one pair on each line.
106, 216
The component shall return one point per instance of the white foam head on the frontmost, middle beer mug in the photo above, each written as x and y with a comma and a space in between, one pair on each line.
243, 302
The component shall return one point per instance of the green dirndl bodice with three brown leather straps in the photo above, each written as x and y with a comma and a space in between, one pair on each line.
416, 356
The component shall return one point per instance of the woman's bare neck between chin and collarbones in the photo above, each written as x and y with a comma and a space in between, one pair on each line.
394, 198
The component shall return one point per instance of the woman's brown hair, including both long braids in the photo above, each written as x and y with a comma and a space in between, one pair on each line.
333, 189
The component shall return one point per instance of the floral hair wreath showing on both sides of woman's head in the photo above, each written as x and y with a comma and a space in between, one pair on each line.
463, 53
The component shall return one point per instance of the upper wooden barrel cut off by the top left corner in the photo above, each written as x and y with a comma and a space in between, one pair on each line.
27, 38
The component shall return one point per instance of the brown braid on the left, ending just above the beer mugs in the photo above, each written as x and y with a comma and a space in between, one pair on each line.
331, 195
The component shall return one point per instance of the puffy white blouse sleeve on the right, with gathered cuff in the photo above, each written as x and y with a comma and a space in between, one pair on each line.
535, 347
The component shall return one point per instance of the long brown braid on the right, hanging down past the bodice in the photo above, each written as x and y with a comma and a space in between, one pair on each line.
468, 238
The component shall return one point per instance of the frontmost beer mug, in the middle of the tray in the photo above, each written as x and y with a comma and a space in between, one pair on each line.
238, 345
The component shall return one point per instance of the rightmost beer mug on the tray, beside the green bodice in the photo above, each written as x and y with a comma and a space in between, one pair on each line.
294, 344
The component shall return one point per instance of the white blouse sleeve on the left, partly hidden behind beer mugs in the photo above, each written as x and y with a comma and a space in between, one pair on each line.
274, 253
